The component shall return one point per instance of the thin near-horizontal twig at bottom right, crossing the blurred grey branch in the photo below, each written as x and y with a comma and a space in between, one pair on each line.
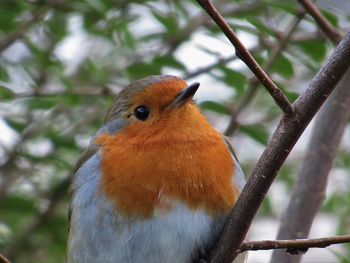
293, 245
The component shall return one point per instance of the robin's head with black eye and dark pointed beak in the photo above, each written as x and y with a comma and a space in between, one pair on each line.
155, 100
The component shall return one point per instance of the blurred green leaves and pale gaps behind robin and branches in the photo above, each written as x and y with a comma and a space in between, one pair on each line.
62, 62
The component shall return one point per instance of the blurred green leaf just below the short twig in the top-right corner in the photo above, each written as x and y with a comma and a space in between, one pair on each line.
314, 49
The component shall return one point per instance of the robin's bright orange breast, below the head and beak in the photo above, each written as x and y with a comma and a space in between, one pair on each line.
145, 167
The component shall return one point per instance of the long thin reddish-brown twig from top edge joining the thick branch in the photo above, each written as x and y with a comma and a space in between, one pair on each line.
280, 99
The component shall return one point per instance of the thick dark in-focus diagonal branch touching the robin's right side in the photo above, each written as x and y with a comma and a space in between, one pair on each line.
283, 140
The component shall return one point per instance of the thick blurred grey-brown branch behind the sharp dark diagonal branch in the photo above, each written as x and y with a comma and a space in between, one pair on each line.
314, 171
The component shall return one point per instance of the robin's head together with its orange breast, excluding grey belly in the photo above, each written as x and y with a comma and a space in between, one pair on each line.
164, 150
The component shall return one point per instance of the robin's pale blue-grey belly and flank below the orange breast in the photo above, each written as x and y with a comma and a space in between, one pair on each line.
101, 232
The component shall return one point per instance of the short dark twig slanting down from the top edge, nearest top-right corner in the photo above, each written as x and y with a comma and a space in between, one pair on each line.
326, 27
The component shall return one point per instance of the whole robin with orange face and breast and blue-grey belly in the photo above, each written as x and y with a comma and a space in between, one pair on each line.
156, 183
